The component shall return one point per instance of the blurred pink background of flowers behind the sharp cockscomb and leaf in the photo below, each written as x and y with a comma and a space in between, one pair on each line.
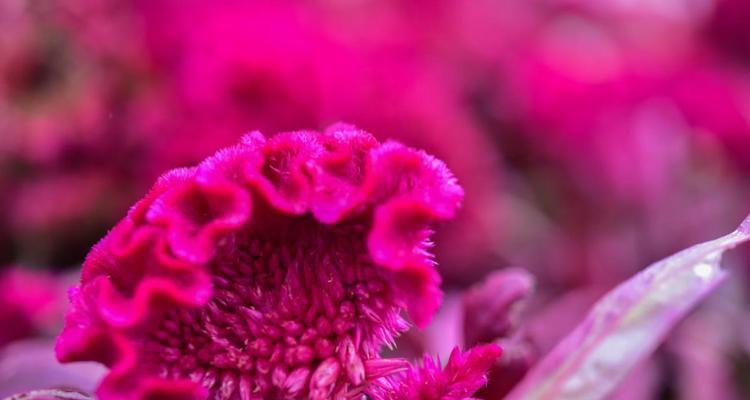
592, 138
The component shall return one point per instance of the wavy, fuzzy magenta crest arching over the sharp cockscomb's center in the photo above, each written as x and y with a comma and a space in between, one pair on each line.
157, 256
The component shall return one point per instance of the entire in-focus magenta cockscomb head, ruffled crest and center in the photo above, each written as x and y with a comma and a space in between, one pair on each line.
274, 269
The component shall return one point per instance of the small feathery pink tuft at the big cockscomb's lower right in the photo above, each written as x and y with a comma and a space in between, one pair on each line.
463, 375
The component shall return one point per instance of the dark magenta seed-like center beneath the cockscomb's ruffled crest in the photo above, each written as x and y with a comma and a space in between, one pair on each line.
296, 315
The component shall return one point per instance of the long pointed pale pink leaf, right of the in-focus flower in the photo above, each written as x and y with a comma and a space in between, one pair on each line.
627, 324
